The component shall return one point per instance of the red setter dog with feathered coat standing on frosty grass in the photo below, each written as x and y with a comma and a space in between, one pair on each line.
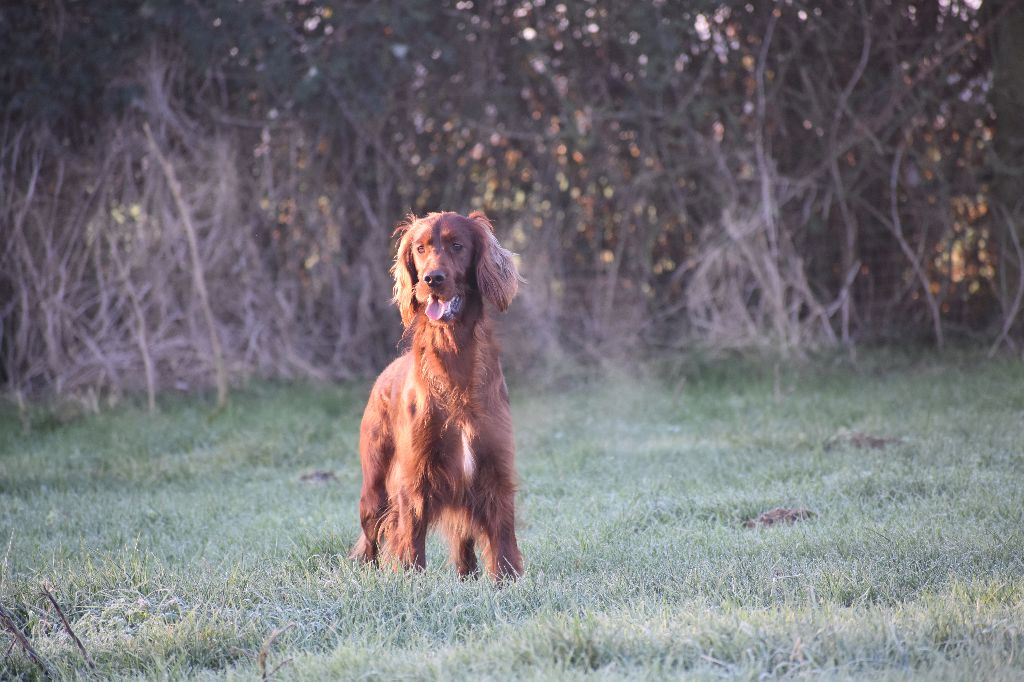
436, 443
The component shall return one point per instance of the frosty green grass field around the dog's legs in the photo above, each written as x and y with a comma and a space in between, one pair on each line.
178, 543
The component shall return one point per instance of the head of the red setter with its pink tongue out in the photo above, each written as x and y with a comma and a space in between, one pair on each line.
445, 260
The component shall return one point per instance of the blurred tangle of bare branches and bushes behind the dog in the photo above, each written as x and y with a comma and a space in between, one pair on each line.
201, 192
